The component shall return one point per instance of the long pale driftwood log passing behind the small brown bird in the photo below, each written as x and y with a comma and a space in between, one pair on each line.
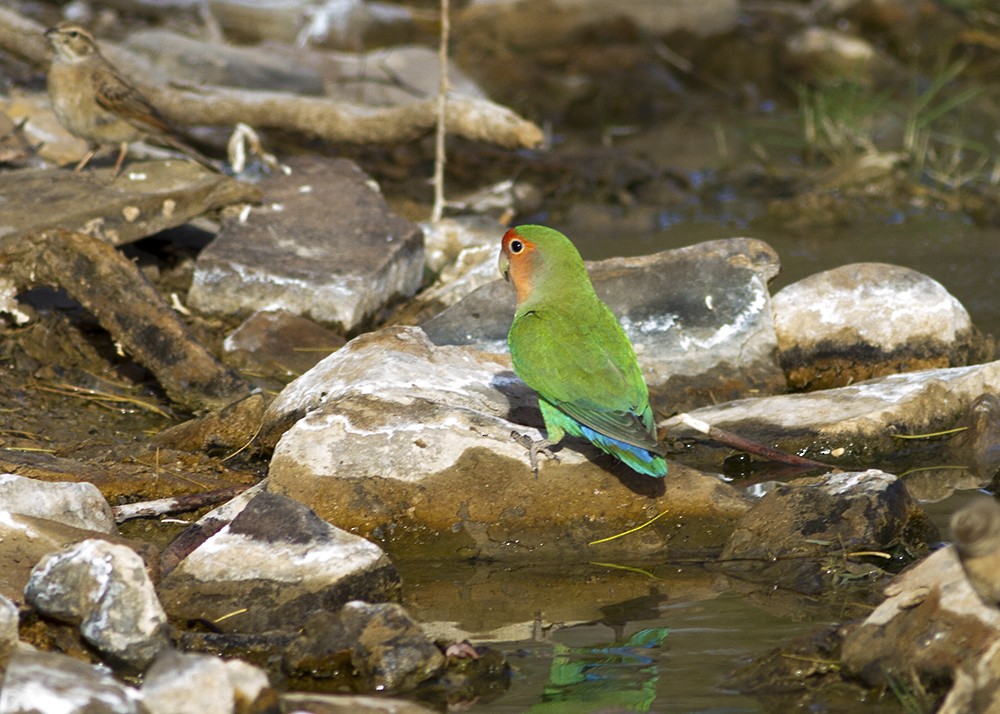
331, 120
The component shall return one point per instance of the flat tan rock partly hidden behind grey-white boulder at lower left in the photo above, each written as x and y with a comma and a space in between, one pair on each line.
25, 540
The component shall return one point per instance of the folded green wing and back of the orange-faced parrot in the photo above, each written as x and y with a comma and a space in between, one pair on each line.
581, 362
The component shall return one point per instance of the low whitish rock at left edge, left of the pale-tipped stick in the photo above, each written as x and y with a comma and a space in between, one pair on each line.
80, 505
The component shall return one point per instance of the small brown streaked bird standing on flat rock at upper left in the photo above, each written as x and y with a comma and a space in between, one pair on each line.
95, 103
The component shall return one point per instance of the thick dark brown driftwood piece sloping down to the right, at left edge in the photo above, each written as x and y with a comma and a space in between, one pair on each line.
110, 286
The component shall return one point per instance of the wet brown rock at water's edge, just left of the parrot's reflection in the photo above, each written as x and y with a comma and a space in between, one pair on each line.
387, 649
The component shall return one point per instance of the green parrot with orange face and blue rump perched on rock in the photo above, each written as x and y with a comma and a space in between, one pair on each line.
567, 345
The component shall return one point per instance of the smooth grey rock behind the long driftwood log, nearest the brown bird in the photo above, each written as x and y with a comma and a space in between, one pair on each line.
215, 63
